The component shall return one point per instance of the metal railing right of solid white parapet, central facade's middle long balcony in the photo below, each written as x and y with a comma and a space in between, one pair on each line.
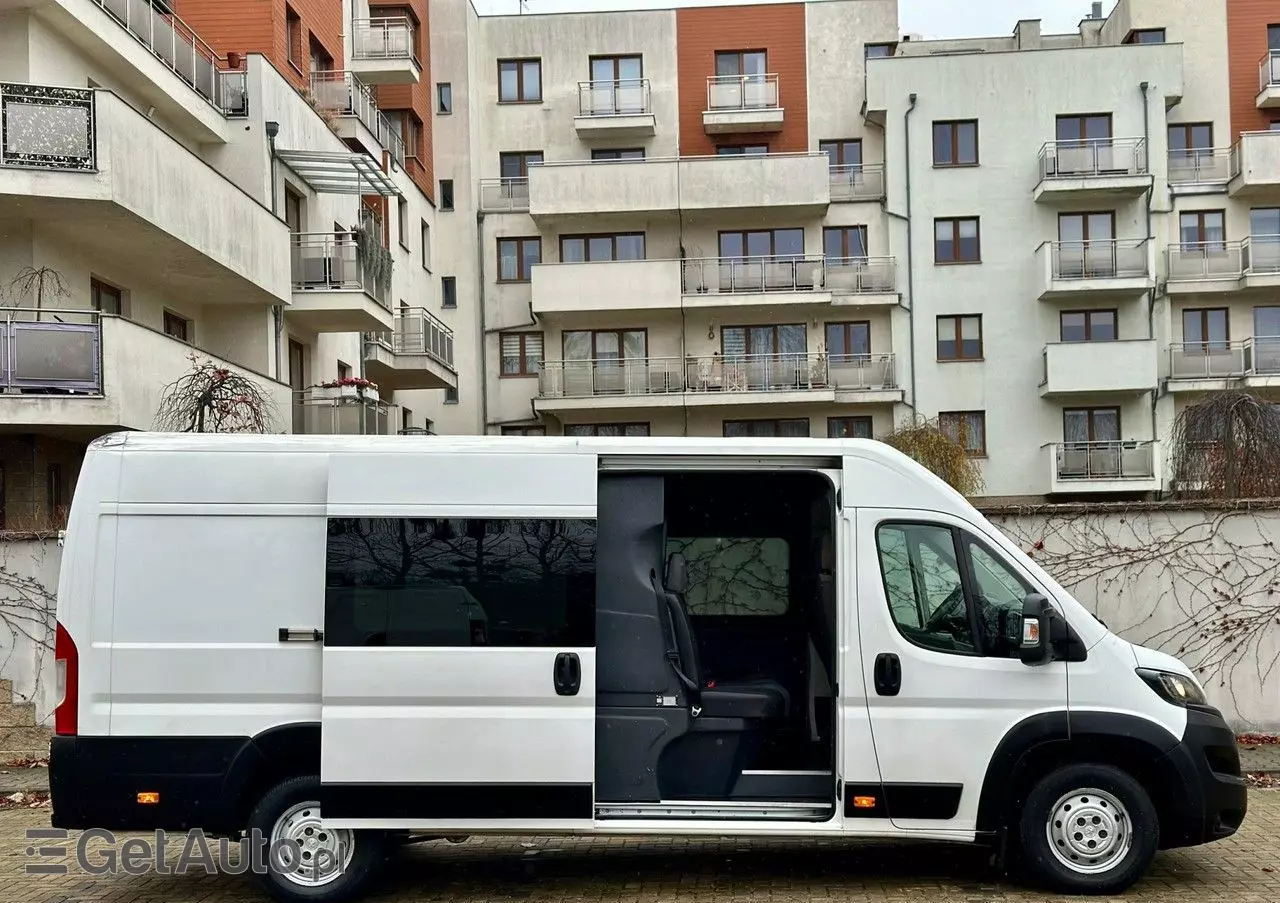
849, 276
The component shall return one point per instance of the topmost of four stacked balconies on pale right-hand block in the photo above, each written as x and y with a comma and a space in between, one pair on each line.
1101, 170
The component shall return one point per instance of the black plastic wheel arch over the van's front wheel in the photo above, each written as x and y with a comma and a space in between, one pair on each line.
1043, 744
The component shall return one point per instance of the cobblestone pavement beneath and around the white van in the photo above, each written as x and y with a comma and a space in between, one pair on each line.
1245, 869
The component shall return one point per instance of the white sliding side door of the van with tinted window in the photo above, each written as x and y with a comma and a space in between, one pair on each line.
459, 668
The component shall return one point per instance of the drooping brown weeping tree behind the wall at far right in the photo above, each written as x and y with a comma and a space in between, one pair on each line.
1228, 446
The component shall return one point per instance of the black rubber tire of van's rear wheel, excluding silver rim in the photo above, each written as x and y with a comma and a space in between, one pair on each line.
367, 849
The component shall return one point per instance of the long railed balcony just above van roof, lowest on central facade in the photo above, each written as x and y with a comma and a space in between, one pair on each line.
716, 381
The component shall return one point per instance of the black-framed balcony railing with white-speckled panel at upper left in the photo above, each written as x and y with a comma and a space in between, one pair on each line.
48, 129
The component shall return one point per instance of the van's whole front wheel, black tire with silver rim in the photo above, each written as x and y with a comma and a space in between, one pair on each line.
1040, 863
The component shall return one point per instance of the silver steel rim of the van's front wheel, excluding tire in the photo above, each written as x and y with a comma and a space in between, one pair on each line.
1090, 832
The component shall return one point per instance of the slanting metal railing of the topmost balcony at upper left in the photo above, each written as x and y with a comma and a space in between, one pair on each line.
173, 43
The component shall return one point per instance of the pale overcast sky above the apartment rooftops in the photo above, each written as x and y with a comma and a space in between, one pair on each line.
930, 19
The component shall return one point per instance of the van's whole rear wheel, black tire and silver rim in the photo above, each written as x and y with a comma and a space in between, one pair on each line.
305, 861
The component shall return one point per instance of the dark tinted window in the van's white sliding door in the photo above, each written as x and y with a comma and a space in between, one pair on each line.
460, 582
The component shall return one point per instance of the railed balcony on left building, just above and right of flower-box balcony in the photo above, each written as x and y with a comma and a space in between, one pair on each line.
417, 354
